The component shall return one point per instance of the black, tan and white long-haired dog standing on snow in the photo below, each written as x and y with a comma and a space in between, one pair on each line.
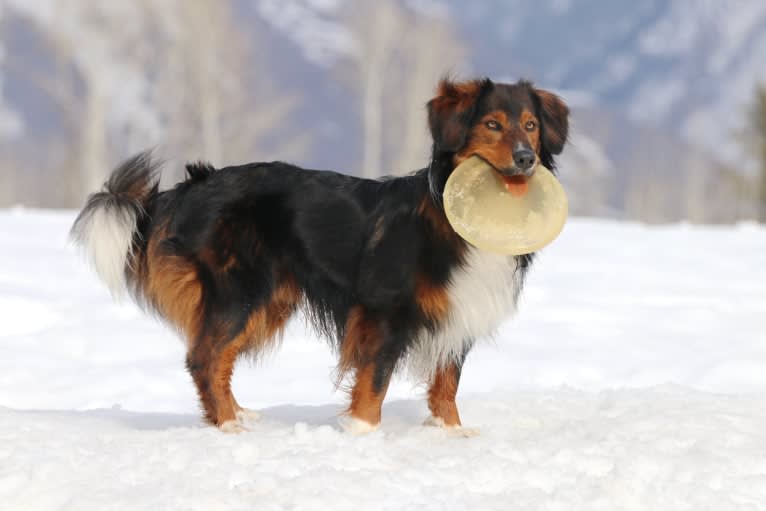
228, 256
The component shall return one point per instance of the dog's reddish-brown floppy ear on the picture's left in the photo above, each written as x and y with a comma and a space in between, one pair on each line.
451, 111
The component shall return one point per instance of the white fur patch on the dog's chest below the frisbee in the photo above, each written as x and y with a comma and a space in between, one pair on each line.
482, 294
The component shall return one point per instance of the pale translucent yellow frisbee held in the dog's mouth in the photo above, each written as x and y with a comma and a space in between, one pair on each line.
511, 216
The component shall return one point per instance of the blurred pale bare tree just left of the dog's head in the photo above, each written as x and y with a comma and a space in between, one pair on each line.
398, 57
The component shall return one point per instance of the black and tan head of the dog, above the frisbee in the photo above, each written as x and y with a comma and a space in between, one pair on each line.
513, 127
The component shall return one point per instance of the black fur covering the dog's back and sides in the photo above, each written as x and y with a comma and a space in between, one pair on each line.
317, 225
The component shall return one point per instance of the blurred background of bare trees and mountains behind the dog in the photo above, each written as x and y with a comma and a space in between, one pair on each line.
669, 119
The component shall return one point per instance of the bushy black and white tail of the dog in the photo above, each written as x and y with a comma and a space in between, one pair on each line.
106, 226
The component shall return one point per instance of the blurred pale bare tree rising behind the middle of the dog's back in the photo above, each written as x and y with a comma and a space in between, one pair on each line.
215, 93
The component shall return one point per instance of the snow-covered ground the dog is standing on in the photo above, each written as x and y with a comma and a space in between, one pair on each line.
634, 377
